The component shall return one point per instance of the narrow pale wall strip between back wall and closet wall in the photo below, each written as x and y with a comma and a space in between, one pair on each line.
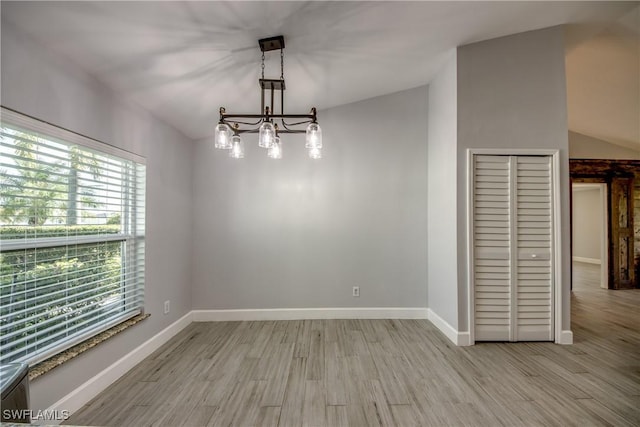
443, 255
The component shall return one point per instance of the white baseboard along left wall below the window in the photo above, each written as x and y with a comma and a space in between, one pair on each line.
91, 388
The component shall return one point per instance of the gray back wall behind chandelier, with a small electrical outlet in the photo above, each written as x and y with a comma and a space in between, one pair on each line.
300, 233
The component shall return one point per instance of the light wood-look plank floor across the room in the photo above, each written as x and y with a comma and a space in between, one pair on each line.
386, 372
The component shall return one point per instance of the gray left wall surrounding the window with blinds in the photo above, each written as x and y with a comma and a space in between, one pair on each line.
38, 83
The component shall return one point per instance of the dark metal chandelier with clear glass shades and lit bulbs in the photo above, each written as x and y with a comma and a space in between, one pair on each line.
268, 124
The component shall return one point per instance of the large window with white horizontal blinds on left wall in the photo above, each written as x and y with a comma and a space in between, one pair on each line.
71, 238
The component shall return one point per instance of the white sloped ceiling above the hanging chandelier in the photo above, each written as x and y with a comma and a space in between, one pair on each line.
183, 60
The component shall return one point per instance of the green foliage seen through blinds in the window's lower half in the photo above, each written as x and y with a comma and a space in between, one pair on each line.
49, 290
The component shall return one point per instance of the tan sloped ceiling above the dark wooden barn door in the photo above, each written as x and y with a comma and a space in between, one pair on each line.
603, 82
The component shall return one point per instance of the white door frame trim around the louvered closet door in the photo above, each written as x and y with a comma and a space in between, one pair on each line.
556, 249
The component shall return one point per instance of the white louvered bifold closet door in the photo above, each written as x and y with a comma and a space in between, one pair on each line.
512, 228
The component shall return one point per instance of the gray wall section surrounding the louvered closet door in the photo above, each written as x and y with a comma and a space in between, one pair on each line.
512, 94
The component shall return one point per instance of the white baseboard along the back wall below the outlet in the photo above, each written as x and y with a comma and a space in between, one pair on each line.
309, 313
